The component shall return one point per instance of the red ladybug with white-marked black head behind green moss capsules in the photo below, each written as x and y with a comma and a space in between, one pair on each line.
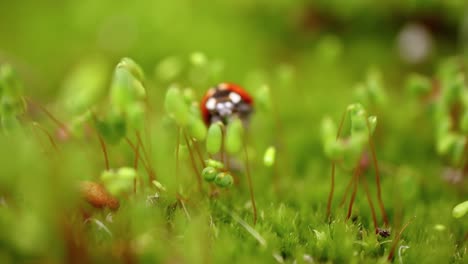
225, 101
